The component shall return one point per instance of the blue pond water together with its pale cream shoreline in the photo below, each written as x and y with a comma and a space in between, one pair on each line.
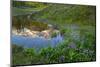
36, 39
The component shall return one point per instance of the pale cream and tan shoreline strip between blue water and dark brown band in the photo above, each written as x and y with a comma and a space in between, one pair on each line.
31, 33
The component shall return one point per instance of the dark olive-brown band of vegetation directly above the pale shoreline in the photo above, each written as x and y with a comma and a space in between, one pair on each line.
23, 22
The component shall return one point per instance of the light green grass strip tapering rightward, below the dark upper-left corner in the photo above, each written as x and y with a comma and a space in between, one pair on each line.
23, 11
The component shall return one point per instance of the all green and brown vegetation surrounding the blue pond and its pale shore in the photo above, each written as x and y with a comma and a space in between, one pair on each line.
76, 24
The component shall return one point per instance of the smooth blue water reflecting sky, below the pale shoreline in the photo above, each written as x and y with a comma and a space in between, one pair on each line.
36, 42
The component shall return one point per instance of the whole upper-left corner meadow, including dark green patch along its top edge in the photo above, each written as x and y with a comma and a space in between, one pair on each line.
22, 8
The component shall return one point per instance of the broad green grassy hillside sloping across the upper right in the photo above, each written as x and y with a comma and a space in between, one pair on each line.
65, 14
